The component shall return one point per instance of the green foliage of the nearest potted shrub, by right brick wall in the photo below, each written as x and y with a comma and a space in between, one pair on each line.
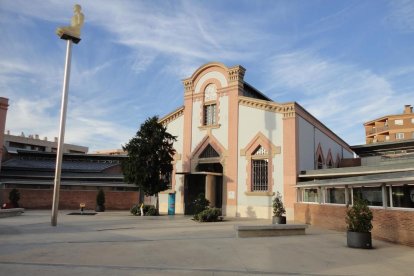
359, 217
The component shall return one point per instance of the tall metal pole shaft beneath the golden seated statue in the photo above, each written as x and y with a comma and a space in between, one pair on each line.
59, 155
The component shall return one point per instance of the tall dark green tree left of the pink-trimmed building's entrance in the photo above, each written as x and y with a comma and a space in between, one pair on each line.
150, 156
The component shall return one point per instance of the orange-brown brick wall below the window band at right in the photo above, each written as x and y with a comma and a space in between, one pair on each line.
389, 225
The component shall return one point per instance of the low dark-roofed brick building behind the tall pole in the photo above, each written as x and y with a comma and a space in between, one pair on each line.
33, 173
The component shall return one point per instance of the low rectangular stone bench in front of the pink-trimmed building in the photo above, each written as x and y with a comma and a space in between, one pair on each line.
271, 230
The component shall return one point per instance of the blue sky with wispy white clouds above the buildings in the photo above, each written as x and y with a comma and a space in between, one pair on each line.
346, 62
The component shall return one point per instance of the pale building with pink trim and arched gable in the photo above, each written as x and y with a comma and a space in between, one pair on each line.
239, 148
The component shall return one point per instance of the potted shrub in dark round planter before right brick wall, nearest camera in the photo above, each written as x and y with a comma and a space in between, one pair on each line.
359, 221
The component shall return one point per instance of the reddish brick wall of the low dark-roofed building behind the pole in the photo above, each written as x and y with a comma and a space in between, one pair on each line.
70, 199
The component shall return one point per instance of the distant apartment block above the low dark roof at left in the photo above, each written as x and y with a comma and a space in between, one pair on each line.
34, 143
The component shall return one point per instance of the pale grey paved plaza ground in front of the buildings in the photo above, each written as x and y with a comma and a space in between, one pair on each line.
116, 243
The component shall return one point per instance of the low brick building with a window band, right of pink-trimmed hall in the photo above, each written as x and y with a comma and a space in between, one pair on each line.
385, 179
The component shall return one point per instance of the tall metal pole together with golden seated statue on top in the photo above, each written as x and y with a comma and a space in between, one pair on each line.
70, 34
